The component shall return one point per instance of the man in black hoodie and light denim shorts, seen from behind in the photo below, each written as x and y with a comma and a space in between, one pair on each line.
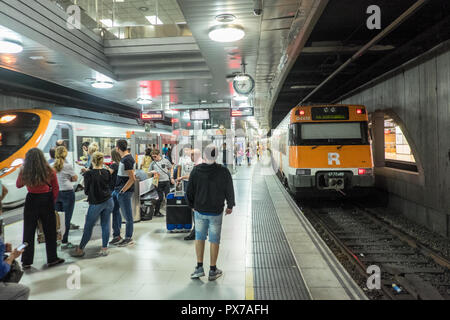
210, 184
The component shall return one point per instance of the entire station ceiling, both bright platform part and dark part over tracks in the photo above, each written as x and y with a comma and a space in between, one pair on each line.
290, 49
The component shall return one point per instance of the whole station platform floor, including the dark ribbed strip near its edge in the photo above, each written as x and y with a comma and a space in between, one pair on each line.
269, 251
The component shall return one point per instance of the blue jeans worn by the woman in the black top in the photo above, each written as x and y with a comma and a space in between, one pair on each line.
102, 210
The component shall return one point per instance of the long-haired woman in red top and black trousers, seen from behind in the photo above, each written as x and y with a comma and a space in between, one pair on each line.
42, 185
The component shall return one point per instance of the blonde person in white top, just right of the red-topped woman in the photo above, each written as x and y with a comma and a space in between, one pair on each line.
66, 197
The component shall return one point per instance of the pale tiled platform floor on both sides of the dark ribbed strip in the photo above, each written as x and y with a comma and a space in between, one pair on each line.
159, 264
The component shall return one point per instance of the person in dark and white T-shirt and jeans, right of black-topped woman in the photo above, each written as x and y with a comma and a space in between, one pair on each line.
123, 192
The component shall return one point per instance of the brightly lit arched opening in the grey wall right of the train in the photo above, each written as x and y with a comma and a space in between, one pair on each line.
397, 152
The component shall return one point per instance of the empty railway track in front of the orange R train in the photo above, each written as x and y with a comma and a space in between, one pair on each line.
409, 269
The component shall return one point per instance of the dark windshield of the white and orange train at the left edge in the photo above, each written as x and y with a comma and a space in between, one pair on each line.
16, 129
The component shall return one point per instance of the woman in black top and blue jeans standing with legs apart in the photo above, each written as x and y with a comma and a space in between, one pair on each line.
97, 187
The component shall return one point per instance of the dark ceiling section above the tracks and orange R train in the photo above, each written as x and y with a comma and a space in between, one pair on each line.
341, 31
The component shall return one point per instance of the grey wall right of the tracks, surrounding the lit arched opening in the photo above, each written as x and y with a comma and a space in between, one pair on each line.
418, 94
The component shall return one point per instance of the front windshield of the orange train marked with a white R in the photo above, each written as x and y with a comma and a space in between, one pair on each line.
325, 133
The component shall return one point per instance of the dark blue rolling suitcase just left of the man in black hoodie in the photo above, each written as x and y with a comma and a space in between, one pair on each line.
178, 213
